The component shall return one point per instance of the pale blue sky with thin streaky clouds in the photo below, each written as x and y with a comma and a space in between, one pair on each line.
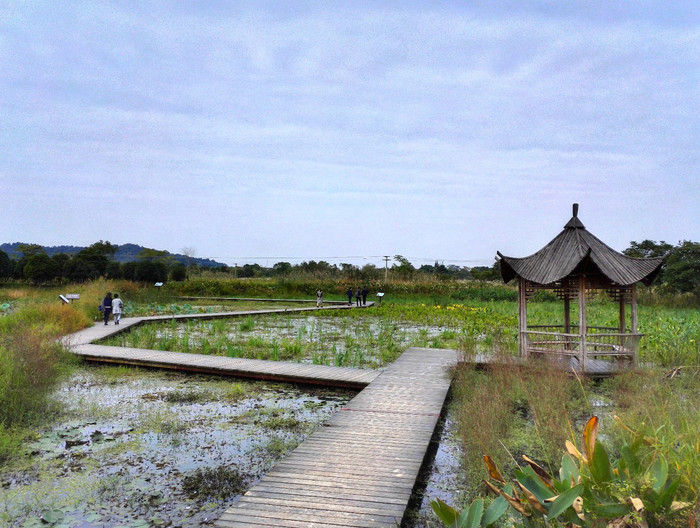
266, 131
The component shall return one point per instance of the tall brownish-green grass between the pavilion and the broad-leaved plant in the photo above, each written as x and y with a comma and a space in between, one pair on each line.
510, 411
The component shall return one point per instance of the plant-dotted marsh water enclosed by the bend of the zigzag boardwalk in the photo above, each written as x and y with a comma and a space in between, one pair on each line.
368, 342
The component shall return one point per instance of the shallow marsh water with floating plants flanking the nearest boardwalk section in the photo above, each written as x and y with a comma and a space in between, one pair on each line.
137, 447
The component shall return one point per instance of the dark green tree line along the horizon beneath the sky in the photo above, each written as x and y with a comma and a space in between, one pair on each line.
680, 274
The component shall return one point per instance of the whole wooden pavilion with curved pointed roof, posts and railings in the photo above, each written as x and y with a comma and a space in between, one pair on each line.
577, 266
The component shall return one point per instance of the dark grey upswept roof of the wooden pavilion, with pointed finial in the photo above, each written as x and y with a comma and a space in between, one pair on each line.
576, 249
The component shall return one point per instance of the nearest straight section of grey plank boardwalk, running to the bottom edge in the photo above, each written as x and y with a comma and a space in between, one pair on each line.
358, 469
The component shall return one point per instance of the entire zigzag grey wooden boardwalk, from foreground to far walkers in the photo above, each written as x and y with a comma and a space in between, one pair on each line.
359, 468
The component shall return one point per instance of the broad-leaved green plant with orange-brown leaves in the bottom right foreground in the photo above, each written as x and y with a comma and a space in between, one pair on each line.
634, 491
